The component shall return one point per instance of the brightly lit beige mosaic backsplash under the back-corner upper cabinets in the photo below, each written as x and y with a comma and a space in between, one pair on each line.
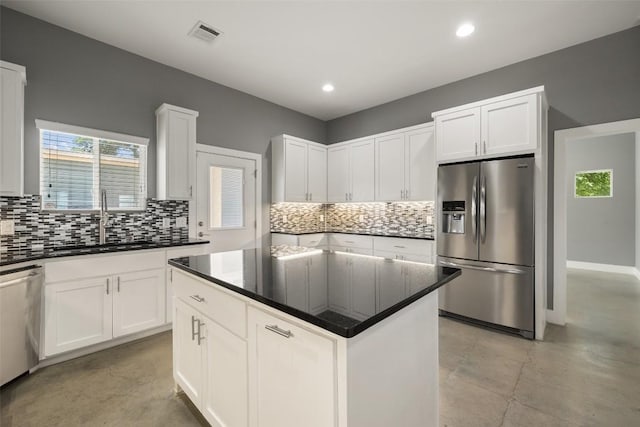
395, 219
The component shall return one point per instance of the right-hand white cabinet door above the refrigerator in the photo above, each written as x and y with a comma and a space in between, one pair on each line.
511, 126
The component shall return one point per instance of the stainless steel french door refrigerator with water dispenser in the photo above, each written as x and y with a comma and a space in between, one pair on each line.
486, 215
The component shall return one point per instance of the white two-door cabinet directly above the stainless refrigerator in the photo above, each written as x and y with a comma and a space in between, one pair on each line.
505, 125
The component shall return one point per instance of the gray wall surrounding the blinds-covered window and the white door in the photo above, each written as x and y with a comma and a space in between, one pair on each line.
77, 80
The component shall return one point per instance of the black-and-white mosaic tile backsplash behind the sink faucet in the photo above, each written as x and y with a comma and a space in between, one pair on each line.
34, 227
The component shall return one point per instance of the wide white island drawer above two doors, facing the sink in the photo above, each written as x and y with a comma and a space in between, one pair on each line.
219, 306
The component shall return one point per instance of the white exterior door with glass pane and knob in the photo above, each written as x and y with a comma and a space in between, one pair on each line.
226, 201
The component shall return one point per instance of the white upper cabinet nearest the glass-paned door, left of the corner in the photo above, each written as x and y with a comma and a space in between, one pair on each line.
299, 170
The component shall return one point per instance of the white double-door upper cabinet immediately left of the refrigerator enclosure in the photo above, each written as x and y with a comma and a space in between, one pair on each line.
405, 165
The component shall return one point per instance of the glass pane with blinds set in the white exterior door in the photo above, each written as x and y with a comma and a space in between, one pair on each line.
226, 197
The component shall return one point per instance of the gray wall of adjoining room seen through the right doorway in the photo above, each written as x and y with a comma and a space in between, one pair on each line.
603, 230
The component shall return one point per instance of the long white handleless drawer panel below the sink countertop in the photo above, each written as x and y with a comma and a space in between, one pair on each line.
102, 265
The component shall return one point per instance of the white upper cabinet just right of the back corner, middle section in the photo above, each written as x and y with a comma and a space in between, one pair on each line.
351, 172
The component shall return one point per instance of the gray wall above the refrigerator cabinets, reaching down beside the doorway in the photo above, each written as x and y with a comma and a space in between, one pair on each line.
593, 82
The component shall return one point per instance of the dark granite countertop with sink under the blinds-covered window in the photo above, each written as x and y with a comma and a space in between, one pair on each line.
66, 251
